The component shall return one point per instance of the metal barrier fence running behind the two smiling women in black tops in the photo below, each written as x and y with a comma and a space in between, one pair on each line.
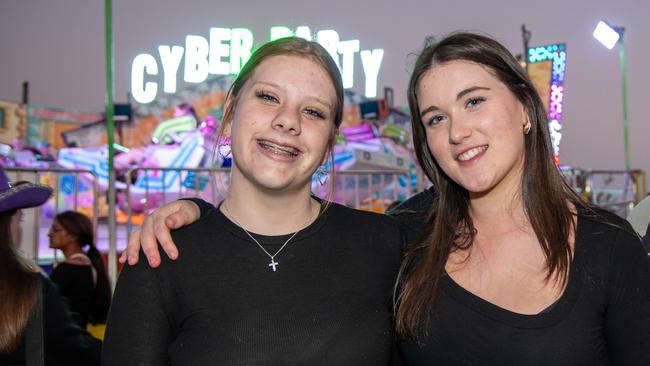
147, 188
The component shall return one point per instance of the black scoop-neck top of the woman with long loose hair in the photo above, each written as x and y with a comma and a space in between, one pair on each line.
602, 318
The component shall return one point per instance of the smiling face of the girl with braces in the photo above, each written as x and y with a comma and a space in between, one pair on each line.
282, 124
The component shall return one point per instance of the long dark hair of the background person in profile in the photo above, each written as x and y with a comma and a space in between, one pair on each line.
80, 226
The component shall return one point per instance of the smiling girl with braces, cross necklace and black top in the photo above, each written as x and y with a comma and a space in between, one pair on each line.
272, 275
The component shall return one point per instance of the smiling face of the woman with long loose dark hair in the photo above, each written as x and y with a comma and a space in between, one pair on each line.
474, 126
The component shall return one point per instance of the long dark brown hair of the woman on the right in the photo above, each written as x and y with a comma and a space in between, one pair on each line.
545, 194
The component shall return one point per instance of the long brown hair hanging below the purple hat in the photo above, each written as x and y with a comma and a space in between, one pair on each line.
18, 287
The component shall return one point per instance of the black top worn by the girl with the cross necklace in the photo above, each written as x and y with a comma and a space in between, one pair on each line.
220, 302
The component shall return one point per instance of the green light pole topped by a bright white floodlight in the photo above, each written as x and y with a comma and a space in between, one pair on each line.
610, 36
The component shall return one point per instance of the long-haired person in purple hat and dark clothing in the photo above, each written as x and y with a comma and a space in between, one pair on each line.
37, 328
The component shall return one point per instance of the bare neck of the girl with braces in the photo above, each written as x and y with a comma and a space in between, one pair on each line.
269, 213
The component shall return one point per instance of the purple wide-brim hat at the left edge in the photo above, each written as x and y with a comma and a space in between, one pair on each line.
21, 196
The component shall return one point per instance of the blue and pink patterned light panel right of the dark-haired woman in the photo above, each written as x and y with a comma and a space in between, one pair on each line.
557, 54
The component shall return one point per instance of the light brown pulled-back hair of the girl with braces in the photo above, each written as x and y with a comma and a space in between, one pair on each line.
290, 46
